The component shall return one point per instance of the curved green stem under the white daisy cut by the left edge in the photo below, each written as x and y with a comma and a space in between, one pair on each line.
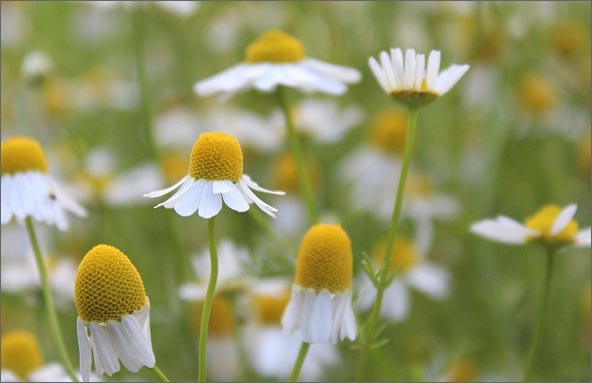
54, 327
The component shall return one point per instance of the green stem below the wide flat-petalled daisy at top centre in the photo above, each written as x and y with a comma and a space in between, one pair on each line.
303, 180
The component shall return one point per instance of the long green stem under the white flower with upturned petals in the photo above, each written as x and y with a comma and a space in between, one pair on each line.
373, 319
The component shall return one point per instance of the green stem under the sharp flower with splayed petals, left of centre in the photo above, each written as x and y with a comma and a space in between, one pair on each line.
207, 305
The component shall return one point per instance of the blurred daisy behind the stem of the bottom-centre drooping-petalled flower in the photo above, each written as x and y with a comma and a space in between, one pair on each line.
273, 352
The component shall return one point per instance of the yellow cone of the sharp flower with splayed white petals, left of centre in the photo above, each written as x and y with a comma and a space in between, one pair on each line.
216, 156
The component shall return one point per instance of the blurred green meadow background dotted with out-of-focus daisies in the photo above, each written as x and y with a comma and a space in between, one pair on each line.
106, 88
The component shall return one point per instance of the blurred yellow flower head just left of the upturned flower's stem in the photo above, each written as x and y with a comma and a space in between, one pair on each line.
389, 131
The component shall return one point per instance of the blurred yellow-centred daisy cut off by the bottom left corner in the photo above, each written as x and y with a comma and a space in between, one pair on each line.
22, 360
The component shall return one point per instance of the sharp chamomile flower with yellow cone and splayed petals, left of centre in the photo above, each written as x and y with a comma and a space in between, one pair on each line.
215, 175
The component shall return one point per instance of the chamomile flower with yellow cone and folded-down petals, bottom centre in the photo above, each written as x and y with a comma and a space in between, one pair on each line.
320, 304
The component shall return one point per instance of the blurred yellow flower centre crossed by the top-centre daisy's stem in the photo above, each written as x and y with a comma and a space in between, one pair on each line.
285, 173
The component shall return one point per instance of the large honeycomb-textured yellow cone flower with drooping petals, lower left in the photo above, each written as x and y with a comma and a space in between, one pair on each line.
113, 322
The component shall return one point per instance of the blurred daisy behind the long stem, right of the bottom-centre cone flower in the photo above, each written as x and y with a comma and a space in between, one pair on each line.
412, 272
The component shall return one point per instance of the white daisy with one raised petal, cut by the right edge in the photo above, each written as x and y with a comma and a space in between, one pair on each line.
551, 225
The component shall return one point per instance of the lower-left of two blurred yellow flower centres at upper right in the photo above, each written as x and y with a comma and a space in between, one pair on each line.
536, 94
